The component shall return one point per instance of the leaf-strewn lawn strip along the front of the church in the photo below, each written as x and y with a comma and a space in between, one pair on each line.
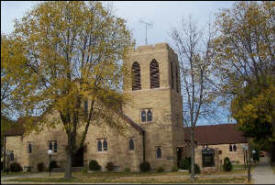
132, 177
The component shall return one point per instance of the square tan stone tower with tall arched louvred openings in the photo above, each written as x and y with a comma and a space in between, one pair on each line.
153, 87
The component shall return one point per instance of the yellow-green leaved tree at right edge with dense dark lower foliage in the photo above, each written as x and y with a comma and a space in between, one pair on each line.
245, 62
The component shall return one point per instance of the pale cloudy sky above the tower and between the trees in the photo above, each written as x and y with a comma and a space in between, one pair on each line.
164, 15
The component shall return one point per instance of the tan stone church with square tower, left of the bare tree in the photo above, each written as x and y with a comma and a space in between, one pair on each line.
155, 130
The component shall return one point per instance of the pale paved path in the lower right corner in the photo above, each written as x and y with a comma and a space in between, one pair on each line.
263, 173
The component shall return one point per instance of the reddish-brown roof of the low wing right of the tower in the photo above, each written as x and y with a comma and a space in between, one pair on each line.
218, 134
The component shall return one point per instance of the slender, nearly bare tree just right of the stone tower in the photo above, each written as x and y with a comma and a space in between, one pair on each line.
195, 60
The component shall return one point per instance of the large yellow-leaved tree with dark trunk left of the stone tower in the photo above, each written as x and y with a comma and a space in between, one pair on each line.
73, 54
